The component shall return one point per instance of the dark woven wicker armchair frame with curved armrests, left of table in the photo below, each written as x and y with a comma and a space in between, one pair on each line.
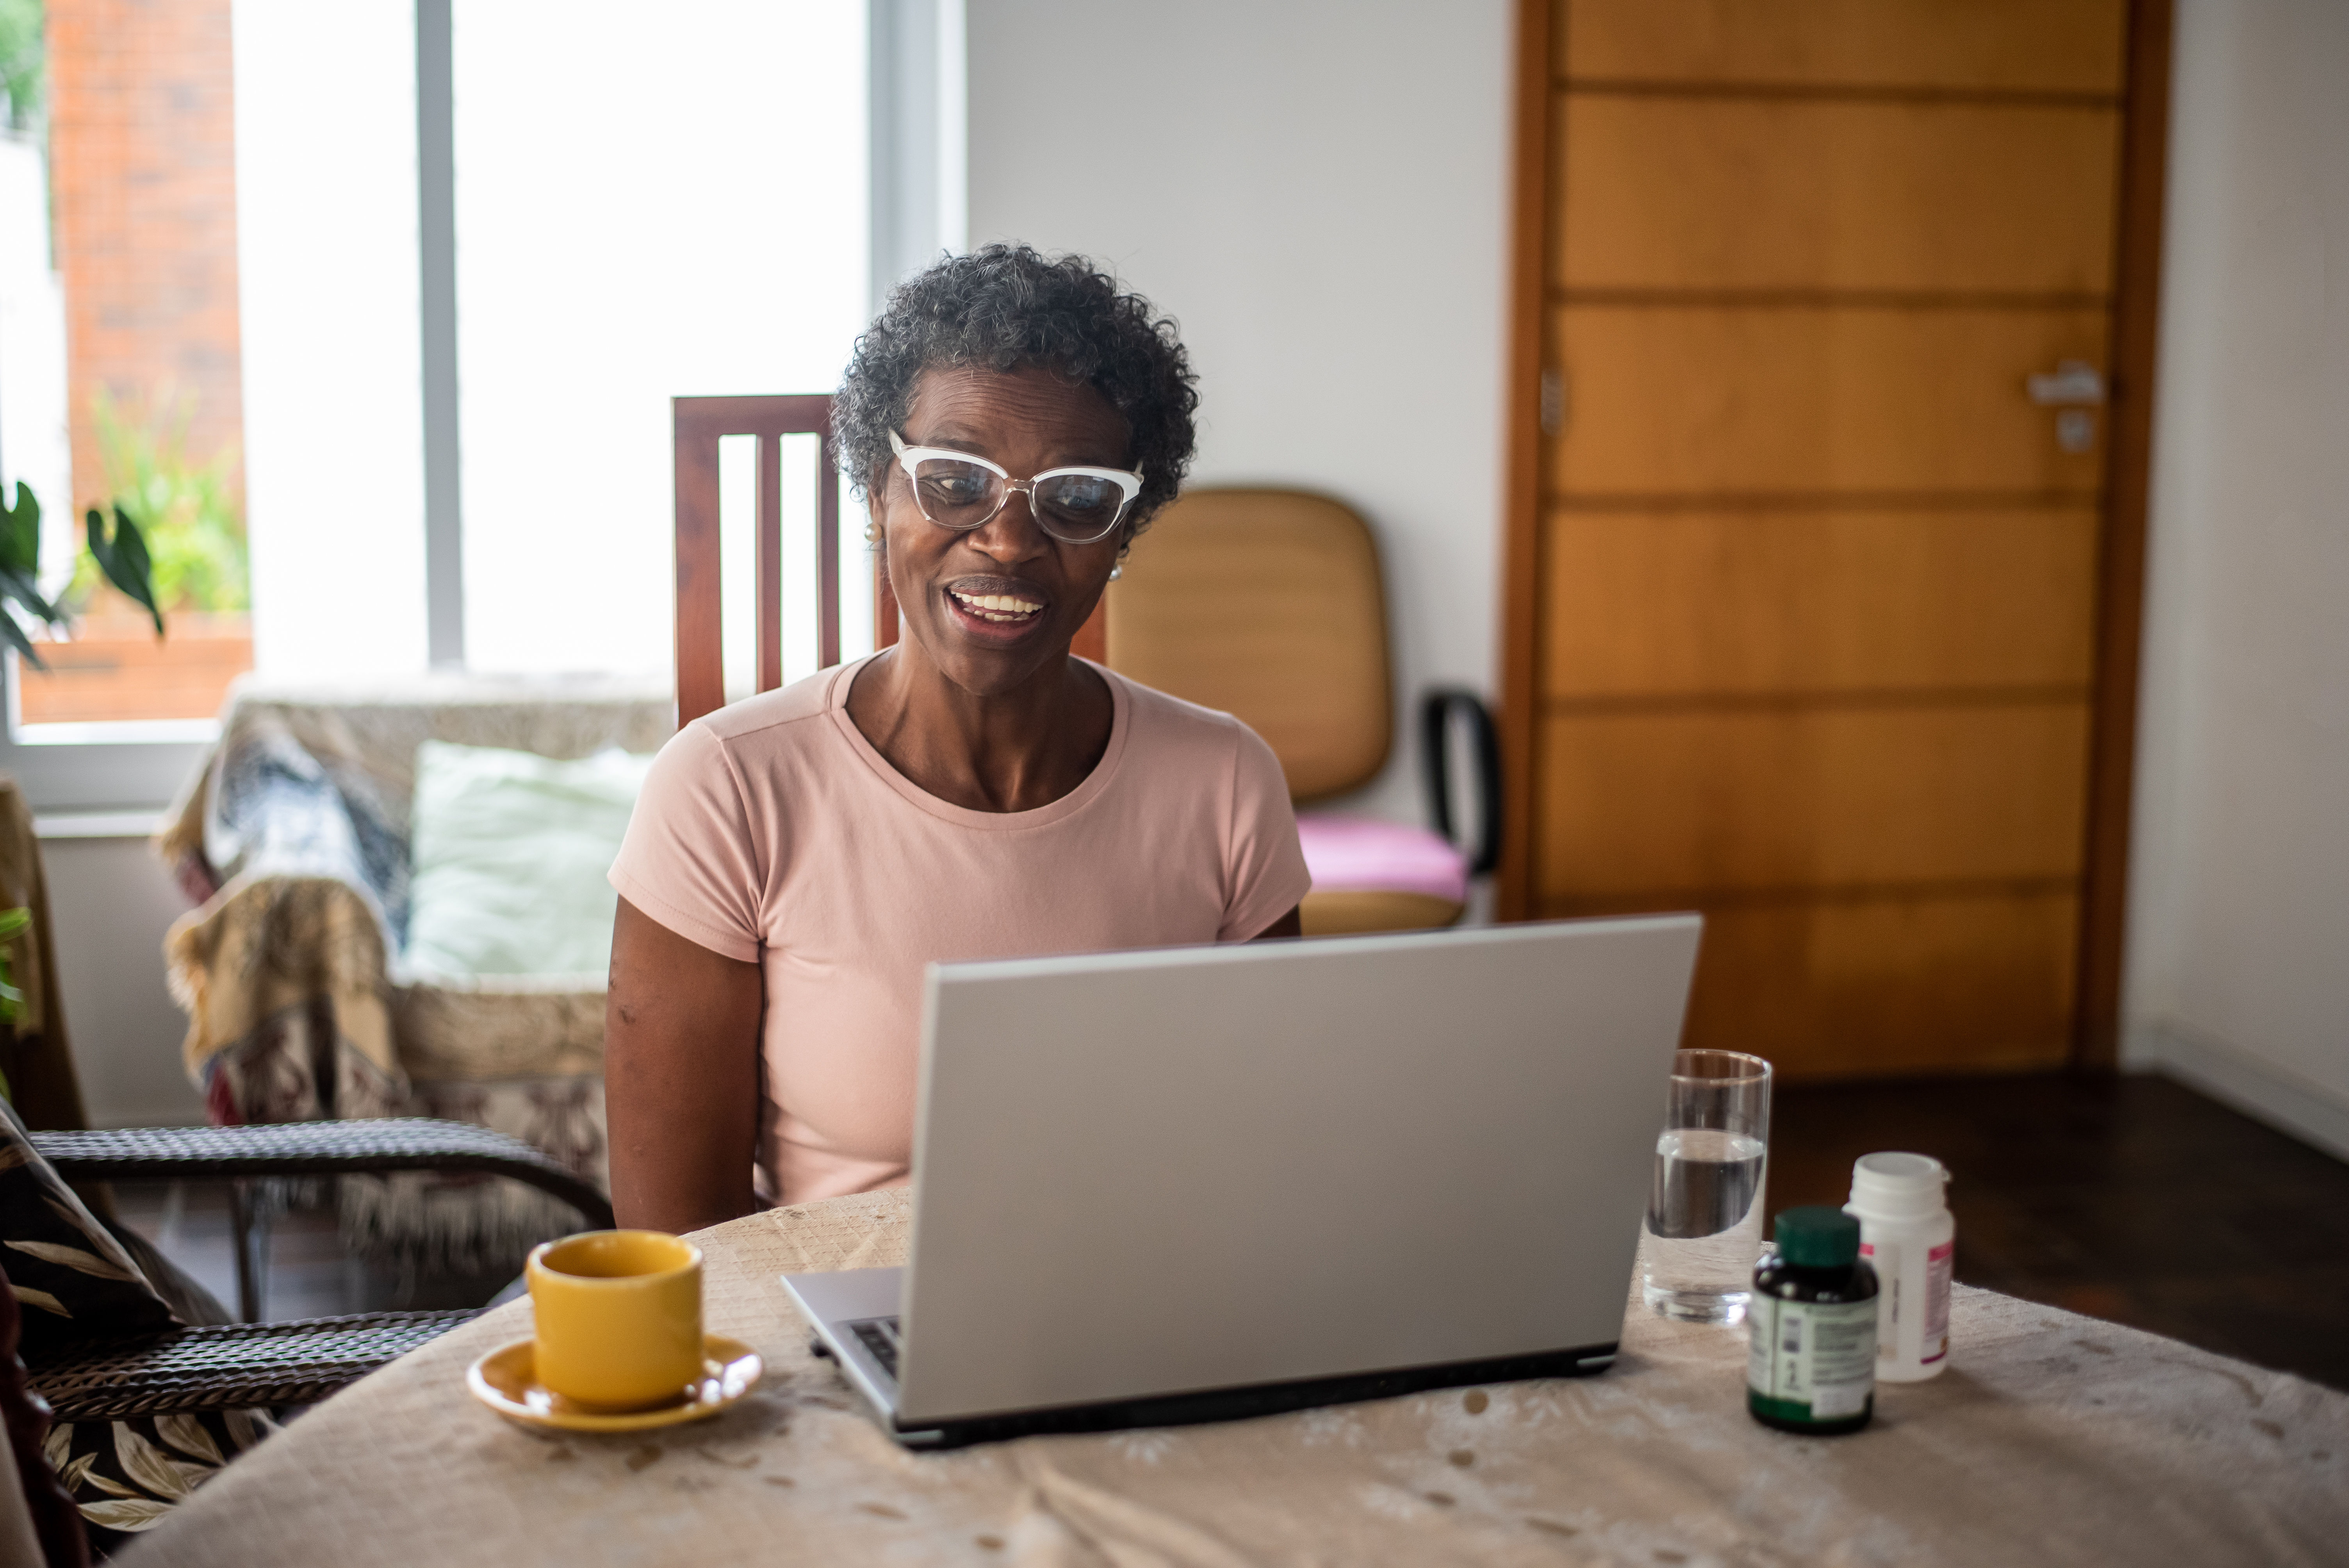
269, 1365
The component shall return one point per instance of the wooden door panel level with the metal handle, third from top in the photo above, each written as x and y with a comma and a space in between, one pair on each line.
1671, 400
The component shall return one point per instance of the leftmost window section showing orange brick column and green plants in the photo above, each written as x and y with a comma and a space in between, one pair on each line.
119, 356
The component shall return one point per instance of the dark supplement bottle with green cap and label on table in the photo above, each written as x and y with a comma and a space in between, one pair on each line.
1815, 1327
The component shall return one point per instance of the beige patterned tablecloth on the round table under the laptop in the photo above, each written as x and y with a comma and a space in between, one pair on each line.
2054, 1440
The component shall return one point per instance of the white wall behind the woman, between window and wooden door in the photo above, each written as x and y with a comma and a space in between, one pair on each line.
1319, 194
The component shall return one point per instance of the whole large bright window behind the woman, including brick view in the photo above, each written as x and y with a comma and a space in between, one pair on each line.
645, 203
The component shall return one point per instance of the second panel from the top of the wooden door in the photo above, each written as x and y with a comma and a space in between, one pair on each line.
1754, 194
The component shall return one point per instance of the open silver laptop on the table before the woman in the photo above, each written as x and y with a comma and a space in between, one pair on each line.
1204, 1184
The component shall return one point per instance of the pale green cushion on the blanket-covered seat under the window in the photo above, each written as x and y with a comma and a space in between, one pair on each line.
509, 858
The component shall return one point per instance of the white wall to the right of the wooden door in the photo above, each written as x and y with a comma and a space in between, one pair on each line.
2240, 919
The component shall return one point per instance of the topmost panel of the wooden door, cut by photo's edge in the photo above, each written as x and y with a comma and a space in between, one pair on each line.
2010, 46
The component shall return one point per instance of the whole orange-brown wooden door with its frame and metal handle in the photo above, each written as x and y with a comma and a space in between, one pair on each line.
1819, 623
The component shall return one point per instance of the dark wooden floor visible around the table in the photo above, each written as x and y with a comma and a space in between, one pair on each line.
2134, 1201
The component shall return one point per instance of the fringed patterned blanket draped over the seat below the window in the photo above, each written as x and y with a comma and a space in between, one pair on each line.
295, 846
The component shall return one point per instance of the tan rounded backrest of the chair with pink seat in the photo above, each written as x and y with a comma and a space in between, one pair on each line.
1265, 604
